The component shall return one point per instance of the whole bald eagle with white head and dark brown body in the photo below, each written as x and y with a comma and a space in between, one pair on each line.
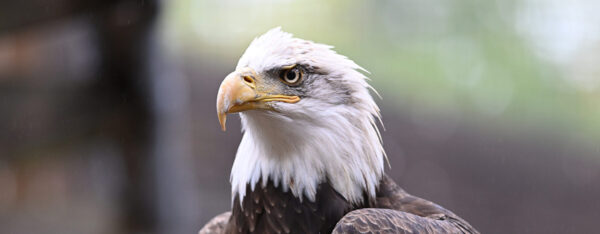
311, 158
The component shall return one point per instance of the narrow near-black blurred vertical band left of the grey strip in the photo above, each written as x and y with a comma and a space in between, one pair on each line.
123, 31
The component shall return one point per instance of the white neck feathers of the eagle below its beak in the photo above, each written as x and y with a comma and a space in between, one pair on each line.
297, 154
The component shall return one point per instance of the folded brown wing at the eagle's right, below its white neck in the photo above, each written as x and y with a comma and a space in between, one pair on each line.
396, 211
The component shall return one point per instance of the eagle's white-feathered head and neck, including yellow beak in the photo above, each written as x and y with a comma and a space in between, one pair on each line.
307, 116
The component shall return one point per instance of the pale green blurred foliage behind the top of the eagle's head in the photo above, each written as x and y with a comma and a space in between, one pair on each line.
462, 56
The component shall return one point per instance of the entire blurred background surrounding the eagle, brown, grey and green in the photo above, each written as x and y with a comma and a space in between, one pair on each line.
108, 124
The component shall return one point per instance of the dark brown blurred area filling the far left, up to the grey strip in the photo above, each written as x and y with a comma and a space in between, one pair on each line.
74, 85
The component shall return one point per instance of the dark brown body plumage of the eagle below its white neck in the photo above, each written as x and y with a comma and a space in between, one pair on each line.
270, 210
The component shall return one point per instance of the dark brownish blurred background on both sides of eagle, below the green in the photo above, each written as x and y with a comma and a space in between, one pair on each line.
104, 132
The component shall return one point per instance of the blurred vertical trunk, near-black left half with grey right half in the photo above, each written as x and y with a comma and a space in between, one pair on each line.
156, 138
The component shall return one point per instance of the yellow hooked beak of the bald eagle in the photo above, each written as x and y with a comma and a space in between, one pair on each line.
240, 92
